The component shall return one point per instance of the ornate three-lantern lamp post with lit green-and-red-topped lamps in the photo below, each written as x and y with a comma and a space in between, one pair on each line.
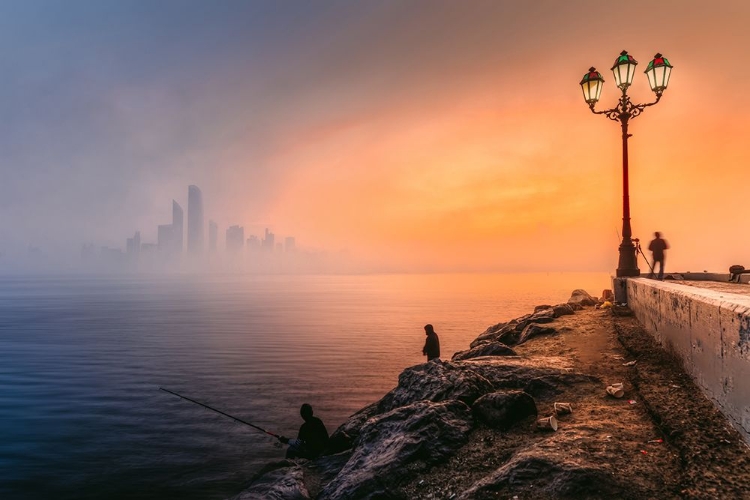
658, 72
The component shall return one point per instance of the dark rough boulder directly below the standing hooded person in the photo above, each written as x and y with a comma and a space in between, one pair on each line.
436, 381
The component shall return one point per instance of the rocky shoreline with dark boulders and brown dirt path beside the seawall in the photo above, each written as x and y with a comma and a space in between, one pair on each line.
469, 428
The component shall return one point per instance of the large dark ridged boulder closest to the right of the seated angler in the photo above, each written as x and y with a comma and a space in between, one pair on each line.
399, 444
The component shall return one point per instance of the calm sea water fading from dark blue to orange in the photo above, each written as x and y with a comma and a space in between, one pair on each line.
82, 358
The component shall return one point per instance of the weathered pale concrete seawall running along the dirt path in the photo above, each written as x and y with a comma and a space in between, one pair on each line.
709, 331
